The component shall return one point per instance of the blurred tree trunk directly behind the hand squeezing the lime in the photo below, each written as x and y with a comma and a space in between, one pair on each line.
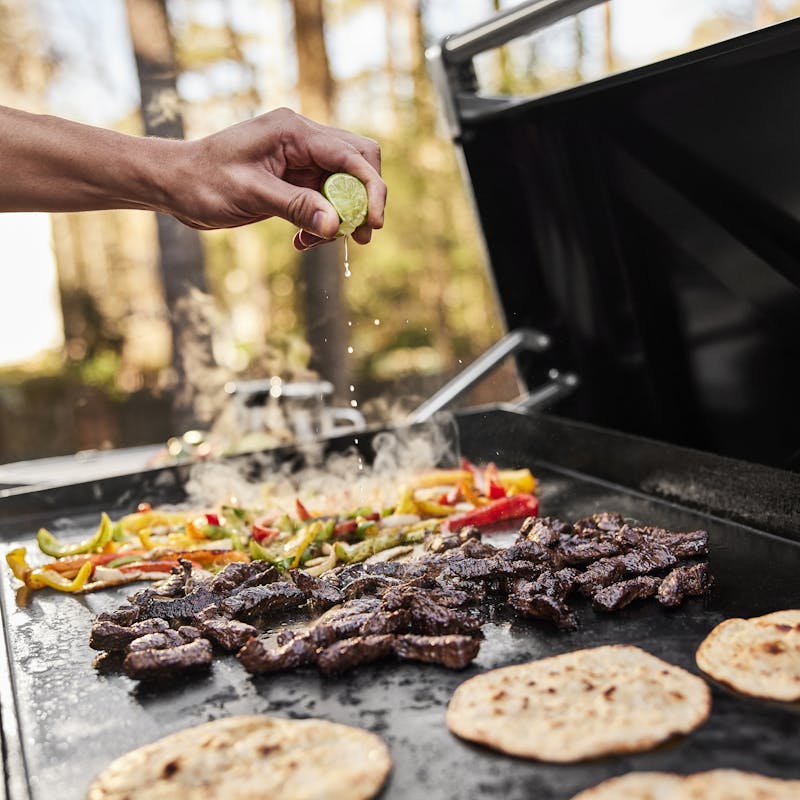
321, 269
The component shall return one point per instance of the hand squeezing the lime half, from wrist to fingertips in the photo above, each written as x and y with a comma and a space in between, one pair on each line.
273, 166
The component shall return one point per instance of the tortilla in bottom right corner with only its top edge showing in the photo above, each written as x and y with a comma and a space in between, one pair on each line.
718, 784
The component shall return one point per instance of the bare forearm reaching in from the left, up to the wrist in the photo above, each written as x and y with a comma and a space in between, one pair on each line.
52, 164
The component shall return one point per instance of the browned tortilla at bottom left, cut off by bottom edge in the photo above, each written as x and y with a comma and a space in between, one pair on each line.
243, 757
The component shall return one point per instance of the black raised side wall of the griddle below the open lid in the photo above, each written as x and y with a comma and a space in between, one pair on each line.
757, 496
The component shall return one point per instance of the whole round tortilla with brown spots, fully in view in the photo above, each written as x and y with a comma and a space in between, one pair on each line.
588, 703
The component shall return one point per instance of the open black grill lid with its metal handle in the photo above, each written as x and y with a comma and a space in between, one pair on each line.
649, 225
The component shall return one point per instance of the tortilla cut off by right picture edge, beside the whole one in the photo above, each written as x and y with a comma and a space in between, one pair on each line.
759, 657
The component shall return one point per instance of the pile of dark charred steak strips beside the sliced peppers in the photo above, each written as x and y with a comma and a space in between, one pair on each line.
430, 609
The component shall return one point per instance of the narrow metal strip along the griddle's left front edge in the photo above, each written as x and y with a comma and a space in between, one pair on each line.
15, 781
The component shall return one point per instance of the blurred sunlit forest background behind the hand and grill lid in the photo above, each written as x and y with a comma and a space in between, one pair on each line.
136, 323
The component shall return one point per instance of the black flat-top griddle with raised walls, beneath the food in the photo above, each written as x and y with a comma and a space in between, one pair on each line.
63, 721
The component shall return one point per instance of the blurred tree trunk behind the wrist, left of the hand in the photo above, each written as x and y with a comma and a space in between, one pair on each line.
180, 249
